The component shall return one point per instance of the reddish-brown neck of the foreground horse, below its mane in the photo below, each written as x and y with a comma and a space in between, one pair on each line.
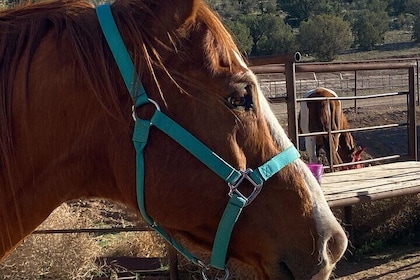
70, 149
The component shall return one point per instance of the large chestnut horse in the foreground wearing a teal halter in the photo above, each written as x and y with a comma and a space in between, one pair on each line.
66, 131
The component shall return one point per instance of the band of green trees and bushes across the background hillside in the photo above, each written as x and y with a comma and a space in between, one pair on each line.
369, 19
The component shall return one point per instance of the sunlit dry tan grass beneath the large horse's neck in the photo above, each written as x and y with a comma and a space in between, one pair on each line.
74, 256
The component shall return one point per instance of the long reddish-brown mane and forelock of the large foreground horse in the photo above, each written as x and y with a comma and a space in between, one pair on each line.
23, 28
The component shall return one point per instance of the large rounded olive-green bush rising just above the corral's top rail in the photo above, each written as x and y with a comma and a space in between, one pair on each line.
324, 35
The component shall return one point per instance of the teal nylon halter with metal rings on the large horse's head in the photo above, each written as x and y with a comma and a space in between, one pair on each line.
223, 169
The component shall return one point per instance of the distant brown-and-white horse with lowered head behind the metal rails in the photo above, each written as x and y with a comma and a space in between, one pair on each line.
317, 116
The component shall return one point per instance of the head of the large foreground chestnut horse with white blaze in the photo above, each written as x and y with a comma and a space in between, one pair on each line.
214, 95
